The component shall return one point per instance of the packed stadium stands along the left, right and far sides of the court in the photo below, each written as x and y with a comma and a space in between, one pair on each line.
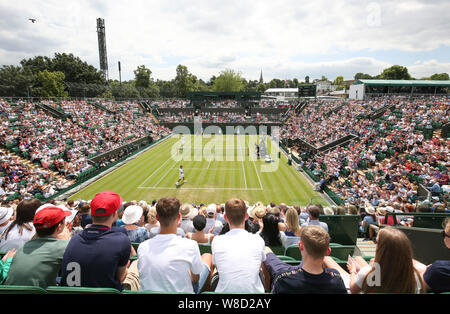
393, 171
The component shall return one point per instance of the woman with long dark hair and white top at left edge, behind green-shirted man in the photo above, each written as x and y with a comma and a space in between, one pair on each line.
21, 229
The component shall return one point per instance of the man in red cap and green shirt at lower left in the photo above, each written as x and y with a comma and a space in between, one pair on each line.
38, 261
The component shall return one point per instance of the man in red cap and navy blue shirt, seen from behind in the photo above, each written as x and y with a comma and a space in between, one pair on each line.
99, 255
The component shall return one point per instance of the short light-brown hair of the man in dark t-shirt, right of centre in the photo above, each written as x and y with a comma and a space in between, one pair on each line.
315, 241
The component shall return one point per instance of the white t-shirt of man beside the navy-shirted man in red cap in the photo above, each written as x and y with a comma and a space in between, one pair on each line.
164, 262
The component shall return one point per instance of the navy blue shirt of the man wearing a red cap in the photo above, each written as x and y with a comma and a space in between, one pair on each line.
99, 251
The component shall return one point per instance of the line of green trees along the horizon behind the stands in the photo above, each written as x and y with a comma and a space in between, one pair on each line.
66, 75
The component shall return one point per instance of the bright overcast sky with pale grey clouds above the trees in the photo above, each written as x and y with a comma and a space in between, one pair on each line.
284, 39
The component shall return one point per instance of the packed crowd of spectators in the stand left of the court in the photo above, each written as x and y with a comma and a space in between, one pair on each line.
65, 145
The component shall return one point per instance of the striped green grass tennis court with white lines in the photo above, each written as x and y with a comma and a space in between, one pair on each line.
216, 168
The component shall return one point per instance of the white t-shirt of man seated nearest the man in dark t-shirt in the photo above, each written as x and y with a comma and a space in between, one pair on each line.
238, 255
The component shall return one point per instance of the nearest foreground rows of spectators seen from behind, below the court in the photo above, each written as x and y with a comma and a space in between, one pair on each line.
115, 245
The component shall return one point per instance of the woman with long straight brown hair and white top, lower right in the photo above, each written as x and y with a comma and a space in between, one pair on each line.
394, 256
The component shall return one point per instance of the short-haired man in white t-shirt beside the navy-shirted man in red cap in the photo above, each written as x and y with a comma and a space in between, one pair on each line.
169, 263
